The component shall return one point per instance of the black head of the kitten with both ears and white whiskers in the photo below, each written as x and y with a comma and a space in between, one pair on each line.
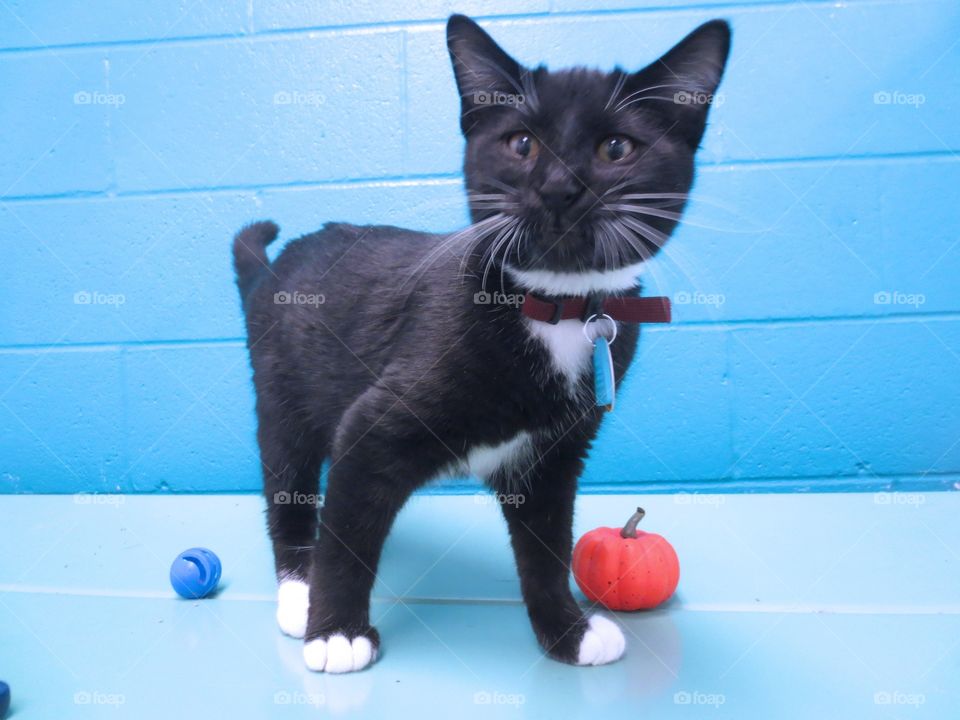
577, 169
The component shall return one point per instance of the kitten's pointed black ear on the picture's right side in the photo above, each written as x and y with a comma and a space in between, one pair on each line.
685, 79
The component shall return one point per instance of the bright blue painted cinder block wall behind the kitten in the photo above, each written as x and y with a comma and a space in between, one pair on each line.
817, 335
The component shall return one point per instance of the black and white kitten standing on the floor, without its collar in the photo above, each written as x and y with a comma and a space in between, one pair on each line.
370, 349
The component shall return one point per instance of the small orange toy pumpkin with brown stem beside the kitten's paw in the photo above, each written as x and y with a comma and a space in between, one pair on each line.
626, 569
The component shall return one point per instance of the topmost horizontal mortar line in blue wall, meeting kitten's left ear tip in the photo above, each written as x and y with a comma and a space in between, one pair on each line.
434, 23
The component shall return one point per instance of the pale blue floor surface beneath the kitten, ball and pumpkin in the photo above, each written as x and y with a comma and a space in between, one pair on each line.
790, 606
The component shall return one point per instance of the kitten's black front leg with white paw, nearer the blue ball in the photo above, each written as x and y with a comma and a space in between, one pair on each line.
380, 455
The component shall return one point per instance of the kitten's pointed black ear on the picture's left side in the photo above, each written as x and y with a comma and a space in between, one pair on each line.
482, 69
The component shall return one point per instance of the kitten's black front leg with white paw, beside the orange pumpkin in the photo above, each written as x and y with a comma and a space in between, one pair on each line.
540, 519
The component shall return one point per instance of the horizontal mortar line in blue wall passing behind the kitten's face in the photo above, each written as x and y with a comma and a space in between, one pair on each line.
456, 178
